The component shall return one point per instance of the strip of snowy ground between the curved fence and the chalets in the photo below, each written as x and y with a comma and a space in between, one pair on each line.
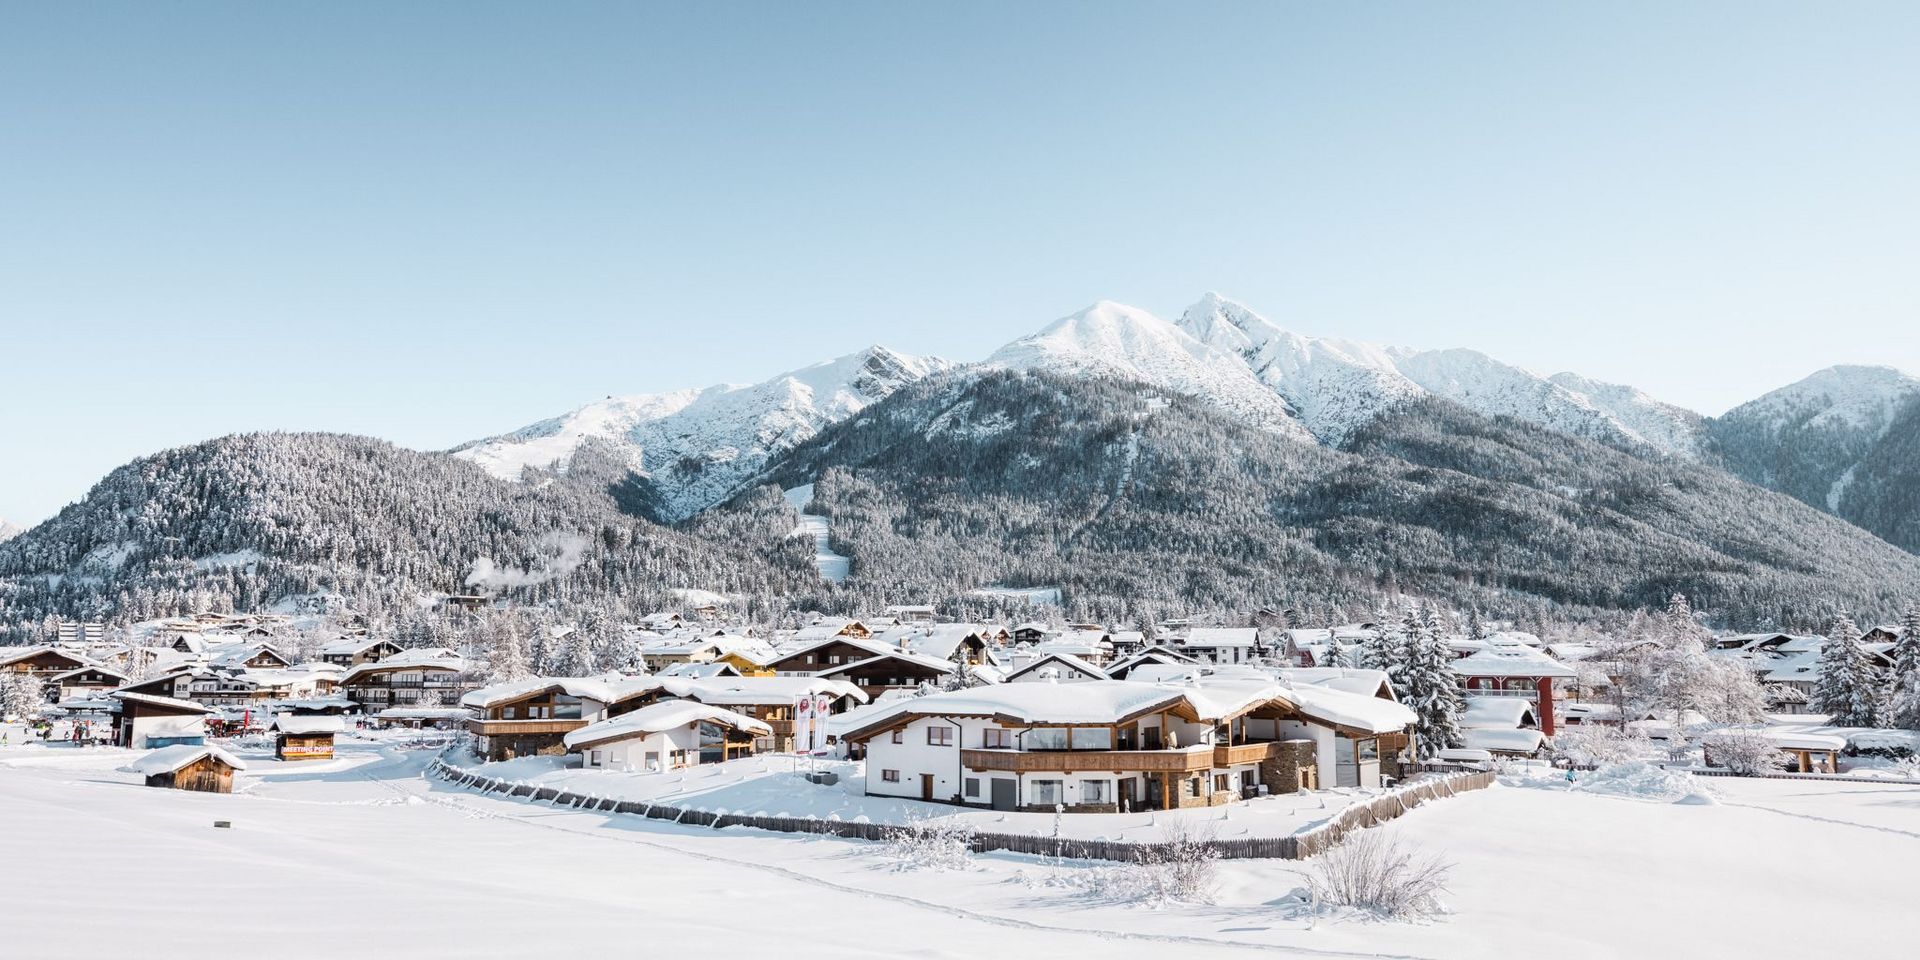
775, 786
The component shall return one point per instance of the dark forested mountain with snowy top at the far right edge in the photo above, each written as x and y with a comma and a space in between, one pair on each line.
1842, 441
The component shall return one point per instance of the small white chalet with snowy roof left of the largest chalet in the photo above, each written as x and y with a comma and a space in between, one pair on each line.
667, 736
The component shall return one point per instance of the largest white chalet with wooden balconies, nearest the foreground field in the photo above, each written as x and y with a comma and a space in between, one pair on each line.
1113, 746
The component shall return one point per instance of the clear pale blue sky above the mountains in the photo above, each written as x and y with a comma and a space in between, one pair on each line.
441, 222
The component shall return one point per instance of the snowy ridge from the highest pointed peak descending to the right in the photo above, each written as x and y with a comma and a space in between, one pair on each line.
1339, 385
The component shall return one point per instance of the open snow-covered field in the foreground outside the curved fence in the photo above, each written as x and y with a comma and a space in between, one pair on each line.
368, 852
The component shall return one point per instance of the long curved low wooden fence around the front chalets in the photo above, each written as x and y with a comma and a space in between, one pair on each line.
1295, 848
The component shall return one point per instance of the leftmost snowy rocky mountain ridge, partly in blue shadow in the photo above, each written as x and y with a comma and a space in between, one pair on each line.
698, 446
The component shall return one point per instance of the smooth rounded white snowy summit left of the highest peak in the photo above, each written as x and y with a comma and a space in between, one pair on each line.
1115, 339
